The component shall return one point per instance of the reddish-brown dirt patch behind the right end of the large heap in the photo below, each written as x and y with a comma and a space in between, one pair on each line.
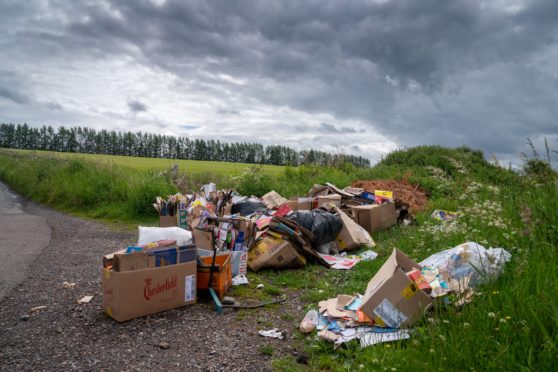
403, 191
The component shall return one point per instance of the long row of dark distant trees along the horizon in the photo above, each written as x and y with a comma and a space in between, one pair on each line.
89, 141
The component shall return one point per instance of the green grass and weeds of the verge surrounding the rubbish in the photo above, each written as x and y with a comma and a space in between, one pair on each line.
522, 334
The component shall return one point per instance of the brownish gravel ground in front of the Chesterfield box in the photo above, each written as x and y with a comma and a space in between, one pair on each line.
70, 336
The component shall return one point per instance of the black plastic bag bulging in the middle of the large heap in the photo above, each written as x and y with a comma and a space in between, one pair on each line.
324, 225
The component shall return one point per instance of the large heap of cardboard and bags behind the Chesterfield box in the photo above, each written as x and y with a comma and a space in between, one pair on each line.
278, 233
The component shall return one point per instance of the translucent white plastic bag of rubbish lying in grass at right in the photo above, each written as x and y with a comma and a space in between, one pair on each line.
470, 259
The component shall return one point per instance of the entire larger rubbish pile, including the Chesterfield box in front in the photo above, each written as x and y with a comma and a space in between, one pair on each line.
208, 240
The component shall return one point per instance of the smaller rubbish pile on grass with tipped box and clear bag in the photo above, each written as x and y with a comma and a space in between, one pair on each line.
402, 291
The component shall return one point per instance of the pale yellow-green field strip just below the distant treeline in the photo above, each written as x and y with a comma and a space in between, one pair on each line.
143, 164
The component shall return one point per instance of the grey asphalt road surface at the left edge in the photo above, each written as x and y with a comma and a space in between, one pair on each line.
22, 237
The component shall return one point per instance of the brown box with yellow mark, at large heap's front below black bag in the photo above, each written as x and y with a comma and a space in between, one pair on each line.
274, 253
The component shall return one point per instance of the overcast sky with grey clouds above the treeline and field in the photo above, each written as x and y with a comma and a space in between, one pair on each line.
361, 77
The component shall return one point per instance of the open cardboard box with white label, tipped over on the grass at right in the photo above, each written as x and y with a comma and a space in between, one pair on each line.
391, 298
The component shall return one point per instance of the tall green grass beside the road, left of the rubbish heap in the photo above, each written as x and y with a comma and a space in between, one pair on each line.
98, 190
